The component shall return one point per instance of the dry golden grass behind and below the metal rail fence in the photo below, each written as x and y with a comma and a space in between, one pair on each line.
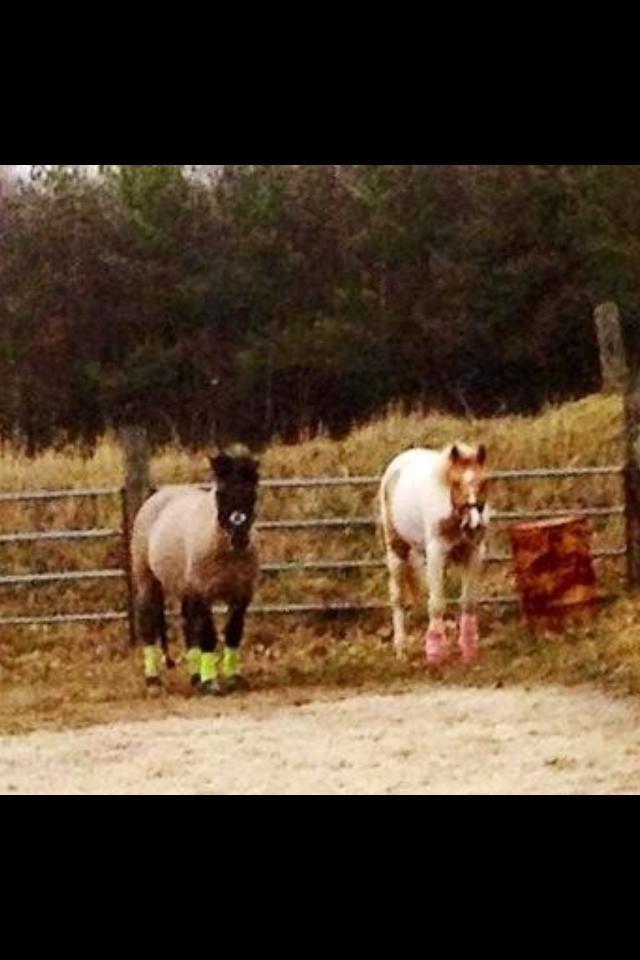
70, 667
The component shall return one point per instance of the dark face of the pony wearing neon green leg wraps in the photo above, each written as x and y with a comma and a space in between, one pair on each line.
236, 479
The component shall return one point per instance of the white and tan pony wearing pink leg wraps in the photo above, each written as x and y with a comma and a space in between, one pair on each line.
434, 511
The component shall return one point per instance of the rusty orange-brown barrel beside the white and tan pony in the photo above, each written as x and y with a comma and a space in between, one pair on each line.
554, 571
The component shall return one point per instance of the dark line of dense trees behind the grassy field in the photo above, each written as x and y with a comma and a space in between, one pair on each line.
272, 300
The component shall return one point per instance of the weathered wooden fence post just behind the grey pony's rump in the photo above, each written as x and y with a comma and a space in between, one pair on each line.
137, 486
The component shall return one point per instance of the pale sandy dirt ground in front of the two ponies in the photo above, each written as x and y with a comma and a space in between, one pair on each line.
426, 741
